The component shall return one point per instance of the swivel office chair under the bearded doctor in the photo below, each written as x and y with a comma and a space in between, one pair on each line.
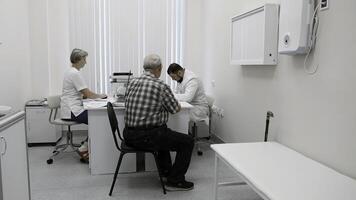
199, 140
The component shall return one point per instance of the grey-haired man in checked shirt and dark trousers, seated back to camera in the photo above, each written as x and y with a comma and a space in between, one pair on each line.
148, 103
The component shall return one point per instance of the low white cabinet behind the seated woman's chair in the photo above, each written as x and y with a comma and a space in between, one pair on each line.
38, 129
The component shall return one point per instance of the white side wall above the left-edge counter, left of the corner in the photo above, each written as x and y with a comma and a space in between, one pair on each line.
14, 53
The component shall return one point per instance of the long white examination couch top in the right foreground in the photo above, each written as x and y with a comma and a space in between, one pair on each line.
280, 173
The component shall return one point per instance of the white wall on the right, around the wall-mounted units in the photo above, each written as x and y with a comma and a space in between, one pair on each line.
315, 114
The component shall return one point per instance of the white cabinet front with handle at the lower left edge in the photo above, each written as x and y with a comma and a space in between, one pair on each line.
14, 163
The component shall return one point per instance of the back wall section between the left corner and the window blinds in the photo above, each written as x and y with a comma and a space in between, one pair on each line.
49, 37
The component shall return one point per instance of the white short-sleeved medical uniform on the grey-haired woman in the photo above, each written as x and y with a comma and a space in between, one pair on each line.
71, 99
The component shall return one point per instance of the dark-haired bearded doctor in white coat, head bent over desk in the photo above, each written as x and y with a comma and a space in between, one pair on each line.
189, 89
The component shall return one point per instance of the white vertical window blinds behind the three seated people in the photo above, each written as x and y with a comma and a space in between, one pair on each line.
118, 34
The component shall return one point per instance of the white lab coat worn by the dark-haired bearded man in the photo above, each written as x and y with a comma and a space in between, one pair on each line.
192, 91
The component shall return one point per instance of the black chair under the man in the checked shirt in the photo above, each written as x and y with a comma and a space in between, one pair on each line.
124, 149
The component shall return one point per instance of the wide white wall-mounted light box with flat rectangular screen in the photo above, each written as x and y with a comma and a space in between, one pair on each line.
254, 36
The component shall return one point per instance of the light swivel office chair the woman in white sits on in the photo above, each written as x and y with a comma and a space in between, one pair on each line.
54, 104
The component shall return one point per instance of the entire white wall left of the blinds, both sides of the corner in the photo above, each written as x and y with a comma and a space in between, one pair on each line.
34, 50
